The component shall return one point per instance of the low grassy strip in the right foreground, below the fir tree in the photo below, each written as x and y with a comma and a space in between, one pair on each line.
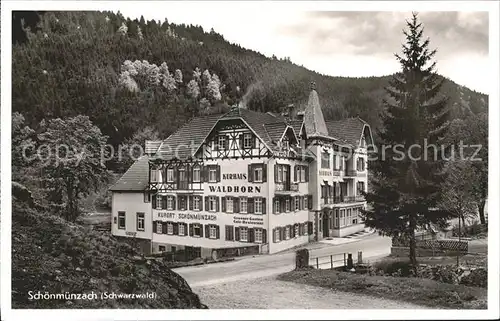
415, 290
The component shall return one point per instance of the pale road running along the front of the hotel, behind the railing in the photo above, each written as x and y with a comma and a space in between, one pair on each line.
261, 266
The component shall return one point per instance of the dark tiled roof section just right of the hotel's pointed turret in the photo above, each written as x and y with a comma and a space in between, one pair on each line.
347, 130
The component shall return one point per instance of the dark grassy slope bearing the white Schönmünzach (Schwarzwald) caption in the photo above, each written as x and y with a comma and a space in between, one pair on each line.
50, 254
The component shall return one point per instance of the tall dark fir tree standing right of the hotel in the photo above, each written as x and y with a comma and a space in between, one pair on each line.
406, 188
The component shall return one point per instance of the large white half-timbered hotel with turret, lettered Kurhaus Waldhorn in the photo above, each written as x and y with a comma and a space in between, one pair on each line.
246, 182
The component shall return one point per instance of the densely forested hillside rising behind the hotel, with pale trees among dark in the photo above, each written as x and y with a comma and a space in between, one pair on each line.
127, 75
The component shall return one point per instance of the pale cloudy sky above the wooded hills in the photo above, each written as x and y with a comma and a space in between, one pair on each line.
345, 43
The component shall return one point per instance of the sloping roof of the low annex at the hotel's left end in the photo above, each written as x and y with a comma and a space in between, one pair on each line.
135, 178
